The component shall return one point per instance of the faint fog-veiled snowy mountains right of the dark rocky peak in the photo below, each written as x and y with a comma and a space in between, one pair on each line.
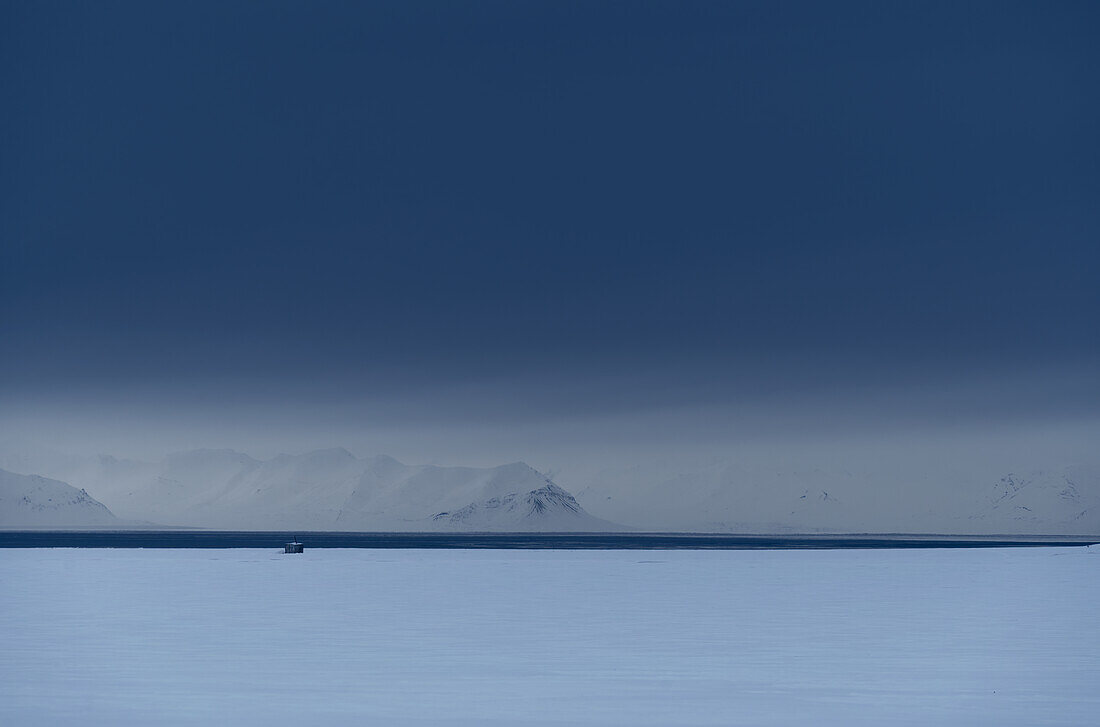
727, 497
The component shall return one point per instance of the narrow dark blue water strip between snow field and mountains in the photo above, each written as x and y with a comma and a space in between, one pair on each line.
541, 542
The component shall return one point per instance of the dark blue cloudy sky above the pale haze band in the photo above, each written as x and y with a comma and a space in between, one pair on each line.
444, 192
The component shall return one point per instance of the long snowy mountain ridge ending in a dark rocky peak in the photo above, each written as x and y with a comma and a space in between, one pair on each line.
331, 490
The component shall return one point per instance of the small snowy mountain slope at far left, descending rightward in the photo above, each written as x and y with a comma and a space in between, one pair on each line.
30, 502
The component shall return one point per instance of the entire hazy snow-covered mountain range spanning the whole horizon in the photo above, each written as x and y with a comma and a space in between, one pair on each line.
334, 490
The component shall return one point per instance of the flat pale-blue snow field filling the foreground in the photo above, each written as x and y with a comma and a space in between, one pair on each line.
513, 637
